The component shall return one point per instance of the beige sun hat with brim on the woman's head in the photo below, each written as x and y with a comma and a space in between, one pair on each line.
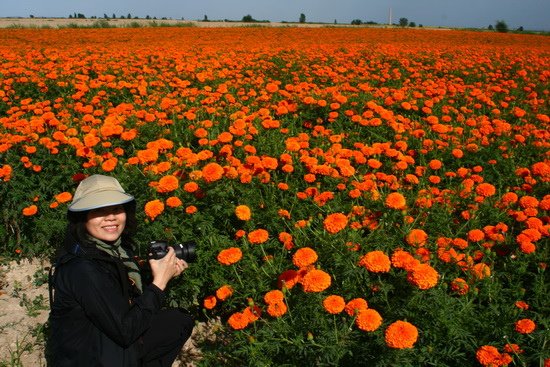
98, 191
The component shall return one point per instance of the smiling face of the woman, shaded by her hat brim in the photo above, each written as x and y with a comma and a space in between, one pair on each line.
106, 223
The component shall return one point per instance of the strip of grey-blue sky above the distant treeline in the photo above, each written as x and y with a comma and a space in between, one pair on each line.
529, 14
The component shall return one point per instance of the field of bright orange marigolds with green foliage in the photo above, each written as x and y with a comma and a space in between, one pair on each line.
358, 197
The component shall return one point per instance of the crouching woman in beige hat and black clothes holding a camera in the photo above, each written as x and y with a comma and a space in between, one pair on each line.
101, 313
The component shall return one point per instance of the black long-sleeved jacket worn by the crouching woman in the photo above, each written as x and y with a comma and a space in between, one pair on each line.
95, 320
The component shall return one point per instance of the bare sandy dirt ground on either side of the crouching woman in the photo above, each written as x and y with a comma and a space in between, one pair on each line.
24, 309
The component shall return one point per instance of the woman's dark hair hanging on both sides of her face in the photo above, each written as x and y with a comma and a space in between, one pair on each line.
77, 222
